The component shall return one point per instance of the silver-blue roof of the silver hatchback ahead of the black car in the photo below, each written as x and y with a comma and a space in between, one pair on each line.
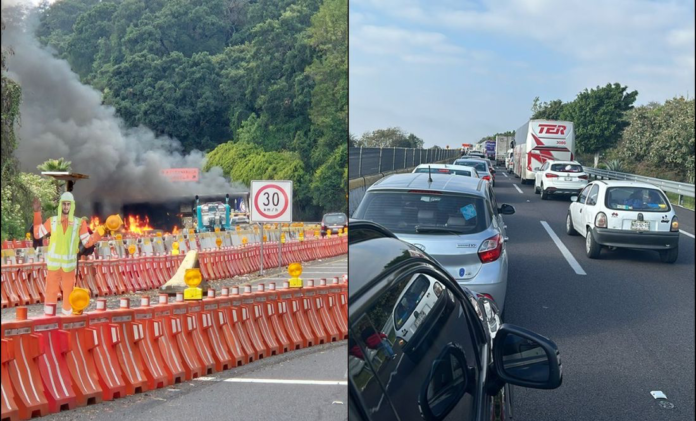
440, 182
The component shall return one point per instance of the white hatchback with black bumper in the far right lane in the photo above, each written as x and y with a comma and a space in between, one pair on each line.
625, 214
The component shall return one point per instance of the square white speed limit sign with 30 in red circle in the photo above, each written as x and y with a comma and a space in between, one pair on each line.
271, 201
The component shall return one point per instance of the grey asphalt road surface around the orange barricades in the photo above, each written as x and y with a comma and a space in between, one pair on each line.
308, 384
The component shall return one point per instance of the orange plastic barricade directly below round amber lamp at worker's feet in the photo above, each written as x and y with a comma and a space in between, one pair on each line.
80, 359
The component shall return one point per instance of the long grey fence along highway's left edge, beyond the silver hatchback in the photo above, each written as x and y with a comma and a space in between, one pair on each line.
370, 161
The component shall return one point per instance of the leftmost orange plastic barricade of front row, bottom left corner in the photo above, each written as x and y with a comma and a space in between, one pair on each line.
24, 375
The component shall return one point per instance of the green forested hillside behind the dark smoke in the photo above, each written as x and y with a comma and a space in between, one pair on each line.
264, 81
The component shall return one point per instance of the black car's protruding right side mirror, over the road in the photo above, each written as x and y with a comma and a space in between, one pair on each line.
524, 358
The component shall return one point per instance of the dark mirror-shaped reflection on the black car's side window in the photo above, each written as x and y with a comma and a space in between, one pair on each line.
447, 382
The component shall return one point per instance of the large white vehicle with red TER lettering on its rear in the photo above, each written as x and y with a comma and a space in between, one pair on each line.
538, 141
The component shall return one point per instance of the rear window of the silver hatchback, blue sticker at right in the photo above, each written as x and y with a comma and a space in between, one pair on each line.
424, 212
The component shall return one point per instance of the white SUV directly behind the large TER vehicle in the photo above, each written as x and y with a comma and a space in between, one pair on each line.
559, 177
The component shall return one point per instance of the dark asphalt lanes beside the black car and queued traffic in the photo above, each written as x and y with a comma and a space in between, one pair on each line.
624, 329
